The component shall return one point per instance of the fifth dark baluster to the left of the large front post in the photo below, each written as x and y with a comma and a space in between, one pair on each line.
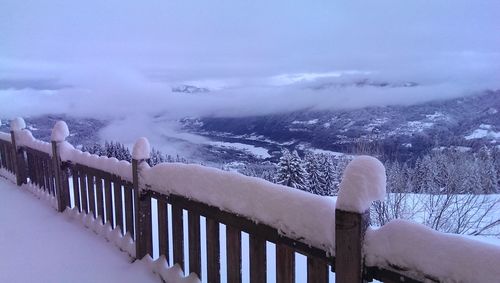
213, 251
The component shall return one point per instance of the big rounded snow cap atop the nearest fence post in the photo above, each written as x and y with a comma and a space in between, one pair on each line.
363, 181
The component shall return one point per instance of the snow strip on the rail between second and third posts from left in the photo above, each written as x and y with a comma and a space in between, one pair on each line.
112, 165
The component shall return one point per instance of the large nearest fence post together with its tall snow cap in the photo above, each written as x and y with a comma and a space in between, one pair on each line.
363, 181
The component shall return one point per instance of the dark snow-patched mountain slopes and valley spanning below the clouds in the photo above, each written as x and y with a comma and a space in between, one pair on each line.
402, 132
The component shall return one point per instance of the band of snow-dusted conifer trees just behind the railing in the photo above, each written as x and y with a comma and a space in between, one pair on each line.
441, 171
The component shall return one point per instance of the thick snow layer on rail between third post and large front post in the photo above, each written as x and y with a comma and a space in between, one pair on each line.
295, 213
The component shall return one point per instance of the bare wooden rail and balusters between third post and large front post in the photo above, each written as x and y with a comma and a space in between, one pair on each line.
235, 224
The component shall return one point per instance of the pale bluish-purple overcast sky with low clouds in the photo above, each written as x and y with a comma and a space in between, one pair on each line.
113, 58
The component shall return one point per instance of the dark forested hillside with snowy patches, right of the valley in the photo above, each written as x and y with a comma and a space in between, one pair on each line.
396, 131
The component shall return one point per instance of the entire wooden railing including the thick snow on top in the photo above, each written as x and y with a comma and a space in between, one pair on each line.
333, 235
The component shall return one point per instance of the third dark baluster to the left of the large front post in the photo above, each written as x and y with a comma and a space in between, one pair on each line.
258, 267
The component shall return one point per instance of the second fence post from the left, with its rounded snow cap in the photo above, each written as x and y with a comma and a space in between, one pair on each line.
59, 134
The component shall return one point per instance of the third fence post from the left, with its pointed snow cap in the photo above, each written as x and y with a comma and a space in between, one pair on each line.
143, 223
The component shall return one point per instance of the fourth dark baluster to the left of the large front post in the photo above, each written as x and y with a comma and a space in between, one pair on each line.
233, 254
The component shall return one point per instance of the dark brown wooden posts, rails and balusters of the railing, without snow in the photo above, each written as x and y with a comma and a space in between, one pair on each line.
123, 203
